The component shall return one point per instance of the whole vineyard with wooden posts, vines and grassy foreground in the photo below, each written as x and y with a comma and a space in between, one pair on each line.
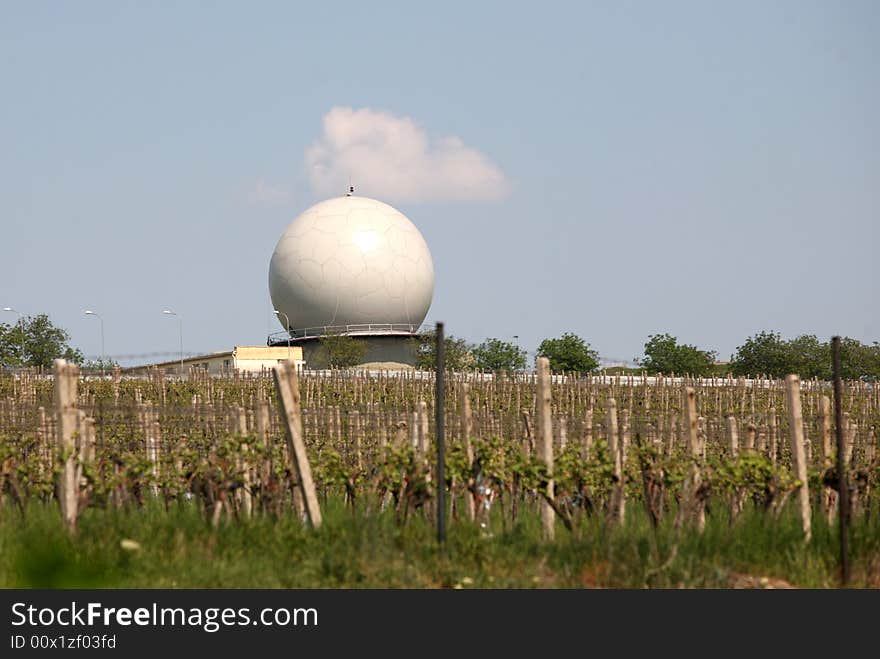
550, 481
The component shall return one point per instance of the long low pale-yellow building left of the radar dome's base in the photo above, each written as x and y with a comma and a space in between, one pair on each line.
250, 359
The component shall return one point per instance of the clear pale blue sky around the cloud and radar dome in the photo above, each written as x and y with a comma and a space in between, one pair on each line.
705, 169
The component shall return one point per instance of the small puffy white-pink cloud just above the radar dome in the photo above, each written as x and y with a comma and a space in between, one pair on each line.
393, 158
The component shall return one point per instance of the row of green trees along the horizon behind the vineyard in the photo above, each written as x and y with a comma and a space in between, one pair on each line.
36, 341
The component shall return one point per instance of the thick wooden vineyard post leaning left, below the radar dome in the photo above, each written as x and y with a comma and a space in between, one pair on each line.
287, 384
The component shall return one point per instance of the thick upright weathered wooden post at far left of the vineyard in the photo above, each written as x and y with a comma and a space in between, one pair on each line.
66, 380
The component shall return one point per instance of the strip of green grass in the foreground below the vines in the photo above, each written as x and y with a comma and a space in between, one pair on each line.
178, 549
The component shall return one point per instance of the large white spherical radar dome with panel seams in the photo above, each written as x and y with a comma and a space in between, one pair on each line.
351, 261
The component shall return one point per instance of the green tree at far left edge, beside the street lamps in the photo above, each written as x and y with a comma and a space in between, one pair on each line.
35, 341
